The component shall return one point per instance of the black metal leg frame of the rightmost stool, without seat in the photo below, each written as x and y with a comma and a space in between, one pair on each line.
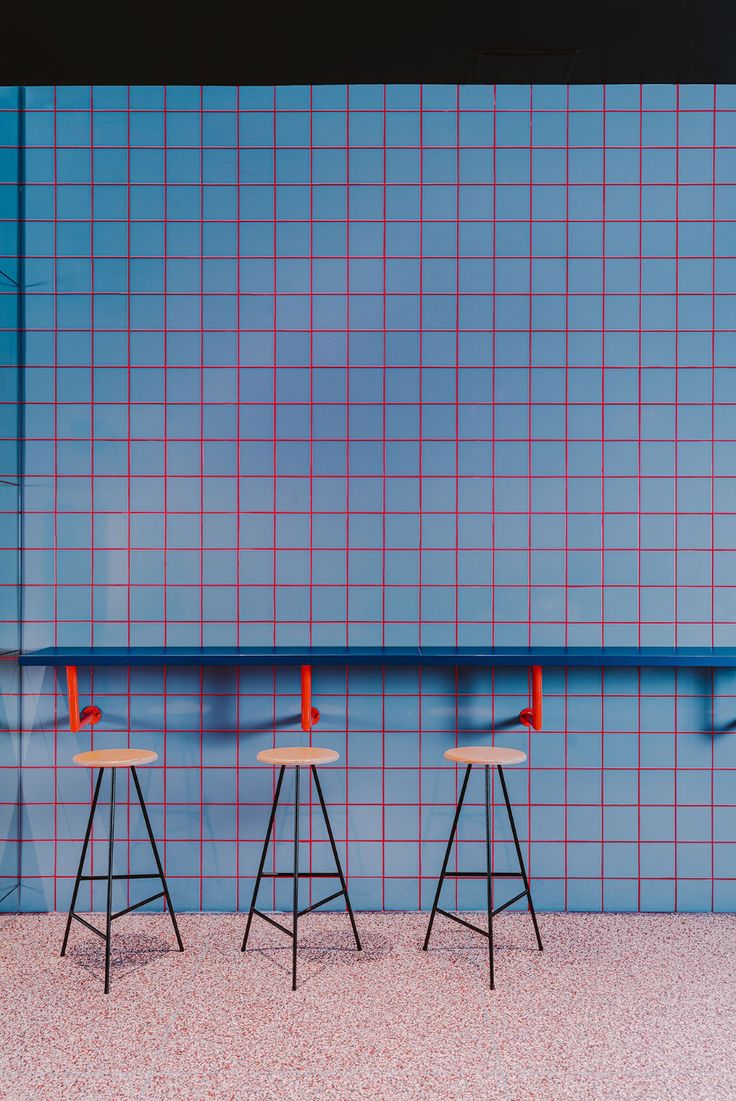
489, 874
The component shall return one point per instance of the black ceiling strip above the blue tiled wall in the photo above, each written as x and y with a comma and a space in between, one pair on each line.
279, 43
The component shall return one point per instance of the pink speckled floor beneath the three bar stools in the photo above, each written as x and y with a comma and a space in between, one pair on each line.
618, 1007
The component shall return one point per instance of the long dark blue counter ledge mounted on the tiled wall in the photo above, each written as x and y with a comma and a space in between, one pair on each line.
499, 657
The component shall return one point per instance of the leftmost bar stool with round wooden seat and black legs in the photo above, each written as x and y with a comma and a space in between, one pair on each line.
115, 760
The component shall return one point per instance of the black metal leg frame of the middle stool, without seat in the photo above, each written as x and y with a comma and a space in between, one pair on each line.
296, 875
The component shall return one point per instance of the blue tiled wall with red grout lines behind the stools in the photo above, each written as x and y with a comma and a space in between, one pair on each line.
387, 365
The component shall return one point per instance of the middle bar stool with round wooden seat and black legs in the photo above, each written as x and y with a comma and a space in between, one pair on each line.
298, 759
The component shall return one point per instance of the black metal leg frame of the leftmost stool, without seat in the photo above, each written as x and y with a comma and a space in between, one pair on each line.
110, 877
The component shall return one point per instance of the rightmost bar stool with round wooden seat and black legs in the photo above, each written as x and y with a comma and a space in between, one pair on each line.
489, 757
